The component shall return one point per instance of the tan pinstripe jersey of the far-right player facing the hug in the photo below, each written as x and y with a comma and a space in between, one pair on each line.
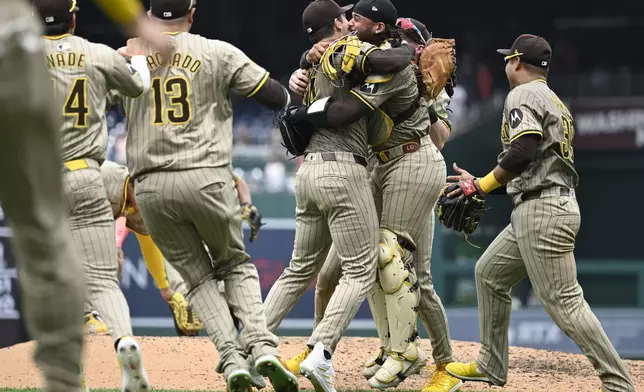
533, 108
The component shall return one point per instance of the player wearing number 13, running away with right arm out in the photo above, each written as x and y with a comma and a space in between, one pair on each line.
179, 148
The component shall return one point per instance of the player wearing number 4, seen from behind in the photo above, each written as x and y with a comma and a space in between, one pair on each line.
82, 74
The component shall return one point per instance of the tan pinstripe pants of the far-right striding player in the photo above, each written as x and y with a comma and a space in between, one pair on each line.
539, 242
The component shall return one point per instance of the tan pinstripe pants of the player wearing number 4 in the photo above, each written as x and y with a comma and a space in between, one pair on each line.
92, 225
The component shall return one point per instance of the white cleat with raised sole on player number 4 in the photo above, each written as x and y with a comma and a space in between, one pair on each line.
134, 377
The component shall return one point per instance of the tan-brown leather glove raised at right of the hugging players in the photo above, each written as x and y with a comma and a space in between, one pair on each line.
437, 64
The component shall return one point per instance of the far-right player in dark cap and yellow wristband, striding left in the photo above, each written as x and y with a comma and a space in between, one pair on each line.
537, 164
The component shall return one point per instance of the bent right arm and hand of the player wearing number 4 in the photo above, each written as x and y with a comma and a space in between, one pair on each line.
131, 80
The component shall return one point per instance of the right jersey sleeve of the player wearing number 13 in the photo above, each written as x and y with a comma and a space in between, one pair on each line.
238, 72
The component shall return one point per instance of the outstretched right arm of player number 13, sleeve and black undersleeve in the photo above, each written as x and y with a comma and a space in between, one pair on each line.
244, 76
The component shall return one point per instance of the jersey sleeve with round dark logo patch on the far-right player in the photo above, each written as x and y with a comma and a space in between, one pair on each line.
523, 113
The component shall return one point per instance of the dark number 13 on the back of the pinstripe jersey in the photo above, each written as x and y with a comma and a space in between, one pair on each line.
177, 91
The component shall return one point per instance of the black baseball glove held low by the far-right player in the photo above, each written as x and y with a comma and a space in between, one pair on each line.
461, 213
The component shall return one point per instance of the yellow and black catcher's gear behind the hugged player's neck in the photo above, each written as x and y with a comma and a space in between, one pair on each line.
340, 57
